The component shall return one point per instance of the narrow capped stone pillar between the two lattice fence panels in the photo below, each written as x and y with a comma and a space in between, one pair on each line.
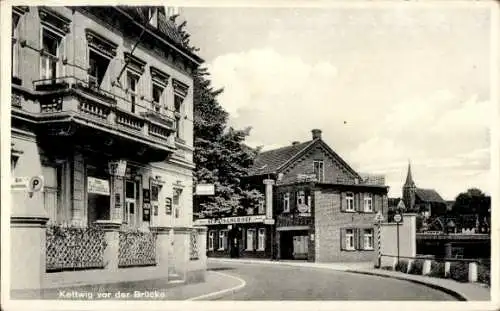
112, 238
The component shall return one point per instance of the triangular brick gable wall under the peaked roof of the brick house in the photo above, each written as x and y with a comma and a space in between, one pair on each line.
333, 170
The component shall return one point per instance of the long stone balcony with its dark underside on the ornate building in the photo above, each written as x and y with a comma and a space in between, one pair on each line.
69, 107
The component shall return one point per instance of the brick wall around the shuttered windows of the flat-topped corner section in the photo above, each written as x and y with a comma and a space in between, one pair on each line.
329, 220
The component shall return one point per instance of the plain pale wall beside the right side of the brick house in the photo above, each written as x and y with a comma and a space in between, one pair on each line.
389, 239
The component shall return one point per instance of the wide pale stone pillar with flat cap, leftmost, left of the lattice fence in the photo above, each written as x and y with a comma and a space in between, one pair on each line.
27, 265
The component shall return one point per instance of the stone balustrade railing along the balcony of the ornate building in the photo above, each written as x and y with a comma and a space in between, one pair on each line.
102, 105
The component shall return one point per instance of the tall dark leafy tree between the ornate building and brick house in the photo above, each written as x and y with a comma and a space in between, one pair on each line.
220, 154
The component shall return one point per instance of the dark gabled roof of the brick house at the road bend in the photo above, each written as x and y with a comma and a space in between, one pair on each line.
270, 162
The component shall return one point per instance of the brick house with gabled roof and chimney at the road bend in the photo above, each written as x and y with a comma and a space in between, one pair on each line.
317, 208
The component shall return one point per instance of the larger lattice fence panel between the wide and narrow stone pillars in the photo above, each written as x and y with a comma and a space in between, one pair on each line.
72, 248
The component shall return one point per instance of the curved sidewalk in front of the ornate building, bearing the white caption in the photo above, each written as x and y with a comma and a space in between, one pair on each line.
216, 284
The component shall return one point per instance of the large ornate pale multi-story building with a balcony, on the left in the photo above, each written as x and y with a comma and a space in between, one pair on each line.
102, 111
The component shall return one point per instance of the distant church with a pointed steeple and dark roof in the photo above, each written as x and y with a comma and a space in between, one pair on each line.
428, 202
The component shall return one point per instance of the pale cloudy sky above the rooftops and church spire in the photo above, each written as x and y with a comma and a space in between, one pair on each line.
386, 85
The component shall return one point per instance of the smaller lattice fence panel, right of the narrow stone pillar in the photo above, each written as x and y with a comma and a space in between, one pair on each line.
137, 248
